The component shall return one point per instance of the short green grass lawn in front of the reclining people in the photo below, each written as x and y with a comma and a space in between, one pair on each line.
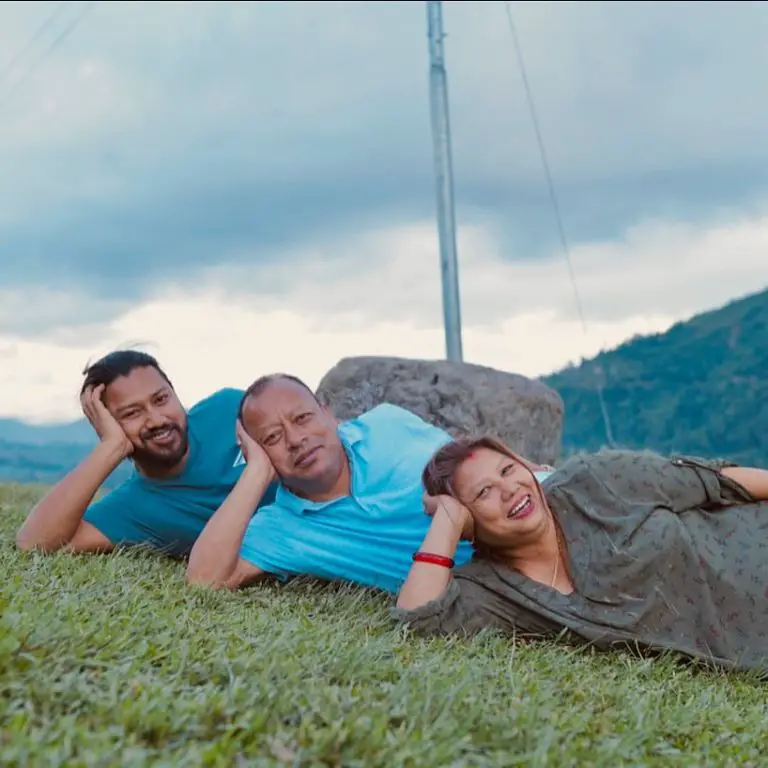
113, 660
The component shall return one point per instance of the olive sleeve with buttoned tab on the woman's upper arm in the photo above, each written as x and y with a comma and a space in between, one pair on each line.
678, 483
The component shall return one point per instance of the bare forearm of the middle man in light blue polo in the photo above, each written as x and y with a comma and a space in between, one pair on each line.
215, 554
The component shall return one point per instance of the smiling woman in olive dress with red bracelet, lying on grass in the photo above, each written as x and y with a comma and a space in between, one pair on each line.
620, 548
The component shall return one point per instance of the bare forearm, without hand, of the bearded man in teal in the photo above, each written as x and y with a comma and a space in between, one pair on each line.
55, 519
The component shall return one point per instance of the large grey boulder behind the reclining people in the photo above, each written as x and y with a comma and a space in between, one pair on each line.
459, 397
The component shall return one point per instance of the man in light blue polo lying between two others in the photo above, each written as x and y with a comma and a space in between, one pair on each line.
349, 504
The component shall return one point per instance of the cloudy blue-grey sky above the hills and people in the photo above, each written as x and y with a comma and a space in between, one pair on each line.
244, 187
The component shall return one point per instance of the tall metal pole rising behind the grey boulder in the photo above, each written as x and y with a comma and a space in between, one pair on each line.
446, 216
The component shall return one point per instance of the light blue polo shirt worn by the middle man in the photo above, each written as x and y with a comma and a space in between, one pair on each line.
370, 536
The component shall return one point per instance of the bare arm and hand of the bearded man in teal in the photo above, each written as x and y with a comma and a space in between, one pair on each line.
56, 522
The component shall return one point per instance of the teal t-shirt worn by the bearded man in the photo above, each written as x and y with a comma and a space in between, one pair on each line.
170, 514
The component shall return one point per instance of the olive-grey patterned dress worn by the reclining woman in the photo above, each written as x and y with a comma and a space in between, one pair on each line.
663, 554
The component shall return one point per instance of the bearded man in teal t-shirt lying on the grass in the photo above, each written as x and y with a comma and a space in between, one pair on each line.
185, 465
